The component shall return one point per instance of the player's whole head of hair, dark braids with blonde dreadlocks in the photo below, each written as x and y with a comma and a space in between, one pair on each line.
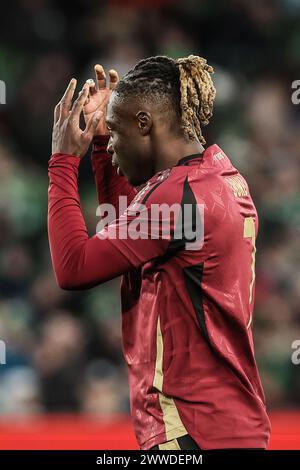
185, 84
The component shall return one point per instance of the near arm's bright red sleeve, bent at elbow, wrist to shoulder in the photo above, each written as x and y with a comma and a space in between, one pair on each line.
80, 261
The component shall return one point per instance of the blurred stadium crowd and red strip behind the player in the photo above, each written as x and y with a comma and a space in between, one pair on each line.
64, 383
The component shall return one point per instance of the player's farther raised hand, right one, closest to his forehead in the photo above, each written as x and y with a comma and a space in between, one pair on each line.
98, 97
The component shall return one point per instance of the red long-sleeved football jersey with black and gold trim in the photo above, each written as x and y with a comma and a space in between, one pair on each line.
186, 312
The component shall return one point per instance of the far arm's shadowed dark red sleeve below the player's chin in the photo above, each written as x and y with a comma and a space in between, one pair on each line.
109, 184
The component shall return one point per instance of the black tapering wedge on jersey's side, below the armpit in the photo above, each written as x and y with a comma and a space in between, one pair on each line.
193, 277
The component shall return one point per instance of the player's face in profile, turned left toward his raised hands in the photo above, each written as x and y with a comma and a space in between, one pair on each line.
129, 145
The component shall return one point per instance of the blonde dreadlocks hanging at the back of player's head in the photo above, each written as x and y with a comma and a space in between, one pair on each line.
197, 95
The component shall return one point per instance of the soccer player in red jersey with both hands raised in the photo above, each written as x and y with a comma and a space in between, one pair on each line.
187, 301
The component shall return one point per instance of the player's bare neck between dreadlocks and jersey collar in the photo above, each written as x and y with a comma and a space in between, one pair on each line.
172, 150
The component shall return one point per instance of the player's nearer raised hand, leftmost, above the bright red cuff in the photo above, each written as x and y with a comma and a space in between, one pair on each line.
67, 137
